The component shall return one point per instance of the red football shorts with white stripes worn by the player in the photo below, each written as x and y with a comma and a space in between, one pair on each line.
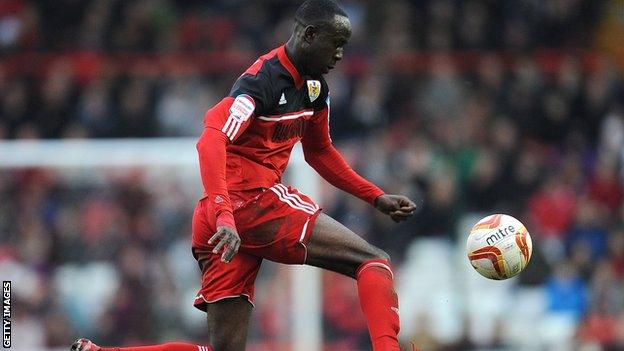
274, 223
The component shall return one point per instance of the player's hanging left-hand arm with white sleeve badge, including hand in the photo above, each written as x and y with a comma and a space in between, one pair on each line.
223, 124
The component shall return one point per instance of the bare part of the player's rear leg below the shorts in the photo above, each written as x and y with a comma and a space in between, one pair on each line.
228, 322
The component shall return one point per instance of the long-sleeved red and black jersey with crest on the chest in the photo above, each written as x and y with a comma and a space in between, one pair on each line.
249, 135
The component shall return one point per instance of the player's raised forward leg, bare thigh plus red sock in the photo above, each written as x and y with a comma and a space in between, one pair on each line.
334, 247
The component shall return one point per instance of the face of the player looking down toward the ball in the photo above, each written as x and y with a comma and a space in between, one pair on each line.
327, 47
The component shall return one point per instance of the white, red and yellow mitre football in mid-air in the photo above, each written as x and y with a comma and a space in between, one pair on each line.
499, 247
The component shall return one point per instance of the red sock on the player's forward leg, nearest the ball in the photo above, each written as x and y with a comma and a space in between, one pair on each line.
379, 303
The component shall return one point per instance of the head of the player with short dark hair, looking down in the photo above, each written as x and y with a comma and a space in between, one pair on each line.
322, 29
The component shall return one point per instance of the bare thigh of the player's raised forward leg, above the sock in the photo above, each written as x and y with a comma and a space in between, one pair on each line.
335, 247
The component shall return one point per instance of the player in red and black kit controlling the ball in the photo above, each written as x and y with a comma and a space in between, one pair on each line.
247, 214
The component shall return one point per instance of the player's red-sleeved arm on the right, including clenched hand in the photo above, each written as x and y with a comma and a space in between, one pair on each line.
321, 154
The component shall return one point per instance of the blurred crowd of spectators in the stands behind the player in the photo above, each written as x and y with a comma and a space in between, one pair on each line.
476, 106
